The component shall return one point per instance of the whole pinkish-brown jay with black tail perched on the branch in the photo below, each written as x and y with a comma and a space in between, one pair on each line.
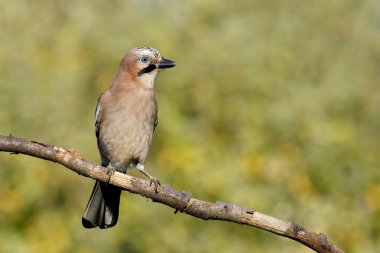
125, 118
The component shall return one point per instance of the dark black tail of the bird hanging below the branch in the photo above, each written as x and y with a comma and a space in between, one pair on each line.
103, 207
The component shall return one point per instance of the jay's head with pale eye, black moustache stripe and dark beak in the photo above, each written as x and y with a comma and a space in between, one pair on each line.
144, 63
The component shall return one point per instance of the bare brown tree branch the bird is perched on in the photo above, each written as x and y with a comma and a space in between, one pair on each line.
180, 201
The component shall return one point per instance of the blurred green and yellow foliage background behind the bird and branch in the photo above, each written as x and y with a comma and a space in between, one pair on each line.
273, 105
